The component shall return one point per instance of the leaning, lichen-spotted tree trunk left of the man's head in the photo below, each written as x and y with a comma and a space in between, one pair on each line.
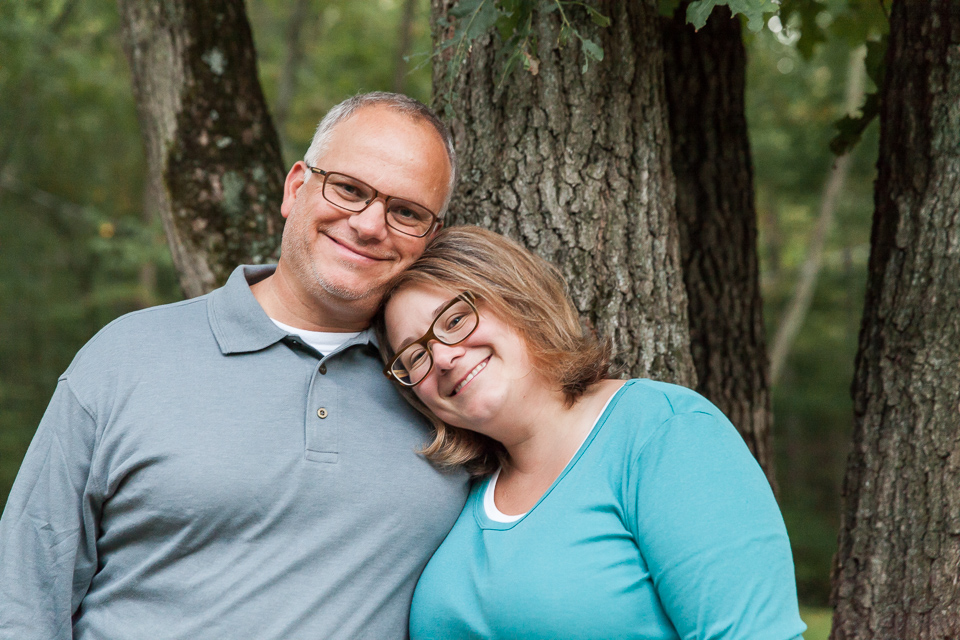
213, 157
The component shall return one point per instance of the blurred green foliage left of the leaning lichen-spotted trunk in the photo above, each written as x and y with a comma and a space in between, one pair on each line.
76, 250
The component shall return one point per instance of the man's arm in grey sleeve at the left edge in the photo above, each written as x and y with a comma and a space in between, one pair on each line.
49, 526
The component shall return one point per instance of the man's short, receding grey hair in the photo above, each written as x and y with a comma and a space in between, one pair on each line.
395, 102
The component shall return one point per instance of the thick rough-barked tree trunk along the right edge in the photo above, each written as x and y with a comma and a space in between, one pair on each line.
896, 571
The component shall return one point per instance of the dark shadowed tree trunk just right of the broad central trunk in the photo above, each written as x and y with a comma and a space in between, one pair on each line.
705, 80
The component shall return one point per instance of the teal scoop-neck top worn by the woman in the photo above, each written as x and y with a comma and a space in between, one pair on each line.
662, 526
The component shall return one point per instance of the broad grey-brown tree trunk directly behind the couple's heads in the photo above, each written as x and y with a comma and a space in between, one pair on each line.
576, 166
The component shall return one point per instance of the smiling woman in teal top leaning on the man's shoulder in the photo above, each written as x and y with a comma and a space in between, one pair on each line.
603, 508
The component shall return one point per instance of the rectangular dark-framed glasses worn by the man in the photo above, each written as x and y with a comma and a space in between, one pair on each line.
355, 195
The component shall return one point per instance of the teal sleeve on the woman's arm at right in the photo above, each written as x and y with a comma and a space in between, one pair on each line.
709, 528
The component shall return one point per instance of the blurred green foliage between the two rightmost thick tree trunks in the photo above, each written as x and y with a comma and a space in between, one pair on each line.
794, 97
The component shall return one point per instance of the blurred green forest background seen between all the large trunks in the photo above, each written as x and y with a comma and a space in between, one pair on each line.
80, 245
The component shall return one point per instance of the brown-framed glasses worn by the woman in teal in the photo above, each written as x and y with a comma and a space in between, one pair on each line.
456, 321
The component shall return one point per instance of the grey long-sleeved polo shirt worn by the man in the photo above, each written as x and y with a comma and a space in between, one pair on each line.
201, 474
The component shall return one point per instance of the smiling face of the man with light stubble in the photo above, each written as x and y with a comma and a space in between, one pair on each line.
337, 254
